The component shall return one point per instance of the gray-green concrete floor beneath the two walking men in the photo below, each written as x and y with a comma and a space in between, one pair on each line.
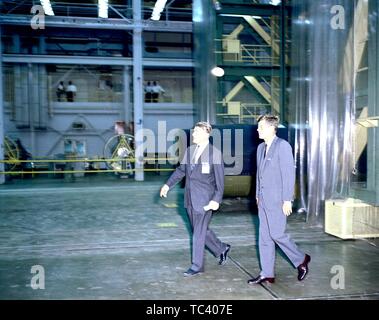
109, 238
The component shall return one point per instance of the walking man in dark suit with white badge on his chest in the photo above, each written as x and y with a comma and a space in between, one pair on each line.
203, 167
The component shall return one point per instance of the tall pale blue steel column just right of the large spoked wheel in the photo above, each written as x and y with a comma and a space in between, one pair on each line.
138, 90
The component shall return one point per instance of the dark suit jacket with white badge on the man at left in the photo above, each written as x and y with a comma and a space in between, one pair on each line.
205, 181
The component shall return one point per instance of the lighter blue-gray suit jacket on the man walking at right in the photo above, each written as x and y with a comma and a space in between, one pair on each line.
275, 173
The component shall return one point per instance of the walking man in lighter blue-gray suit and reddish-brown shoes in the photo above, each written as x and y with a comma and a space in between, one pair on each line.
274, 195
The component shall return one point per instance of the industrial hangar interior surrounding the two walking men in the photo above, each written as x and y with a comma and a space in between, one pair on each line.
81, 168
